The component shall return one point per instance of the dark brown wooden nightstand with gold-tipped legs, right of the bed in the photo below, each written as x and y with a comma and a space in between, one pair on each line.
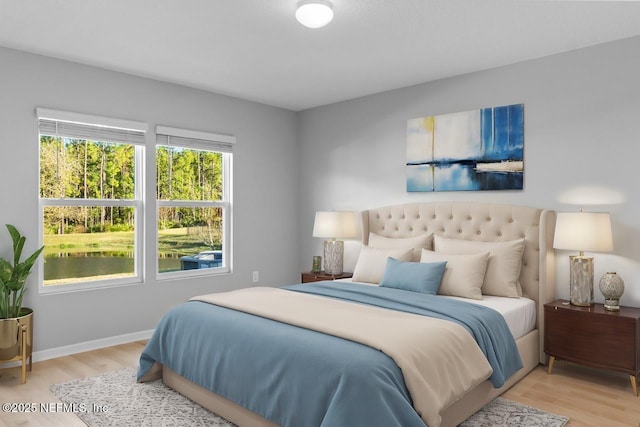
594, 337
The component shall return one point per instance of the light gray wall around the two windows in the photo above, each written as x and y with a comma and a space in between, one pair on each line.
265, 187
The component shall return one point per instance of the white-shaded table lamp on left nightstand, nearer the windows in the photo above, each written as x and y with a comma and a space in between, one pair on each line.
334, 225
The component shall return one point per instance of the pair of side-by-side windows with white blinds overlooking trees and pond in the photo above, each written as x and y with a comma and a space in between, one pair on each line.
92, 201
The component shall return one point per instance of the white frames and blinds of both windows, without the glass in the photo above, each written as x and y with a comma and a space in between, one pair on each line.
144, 202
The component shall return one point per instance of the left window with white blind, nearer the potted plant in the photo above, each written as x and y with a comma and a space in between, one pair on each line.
90, 200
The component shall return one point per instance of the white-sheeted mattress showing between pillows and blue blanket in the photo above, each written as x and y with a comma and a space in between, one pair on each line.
519, 313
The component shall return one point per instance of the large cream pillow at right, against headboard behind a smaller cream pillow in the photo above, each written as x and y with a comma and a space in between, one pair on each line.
505, 262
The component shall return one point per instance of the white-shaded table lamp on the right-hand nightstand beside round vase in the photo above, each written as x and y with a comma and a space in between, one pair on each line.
582, 231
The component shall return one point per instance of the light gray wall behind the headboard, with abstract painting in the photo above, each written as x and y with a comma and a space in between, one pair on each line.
582, 131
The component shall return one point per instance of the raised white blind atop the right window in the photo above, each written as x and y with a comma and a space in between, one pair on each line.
194, 139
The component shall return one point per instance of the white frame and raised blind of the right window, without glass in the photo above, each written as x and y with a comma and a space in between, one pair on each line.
206, 141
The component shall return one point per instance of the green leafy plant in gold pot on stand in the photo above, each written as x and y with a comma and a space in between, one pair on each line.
13, 275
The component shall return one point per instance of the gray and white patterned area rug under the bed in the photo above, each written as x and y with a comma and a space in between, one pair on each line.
116, 399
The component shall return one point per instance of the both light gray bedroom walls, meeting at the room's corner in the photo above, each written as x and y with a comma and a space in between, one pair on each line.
581, 143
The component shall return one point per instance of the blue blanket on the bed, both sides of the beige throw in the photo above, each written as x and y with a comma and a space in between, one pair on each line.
297, 377
